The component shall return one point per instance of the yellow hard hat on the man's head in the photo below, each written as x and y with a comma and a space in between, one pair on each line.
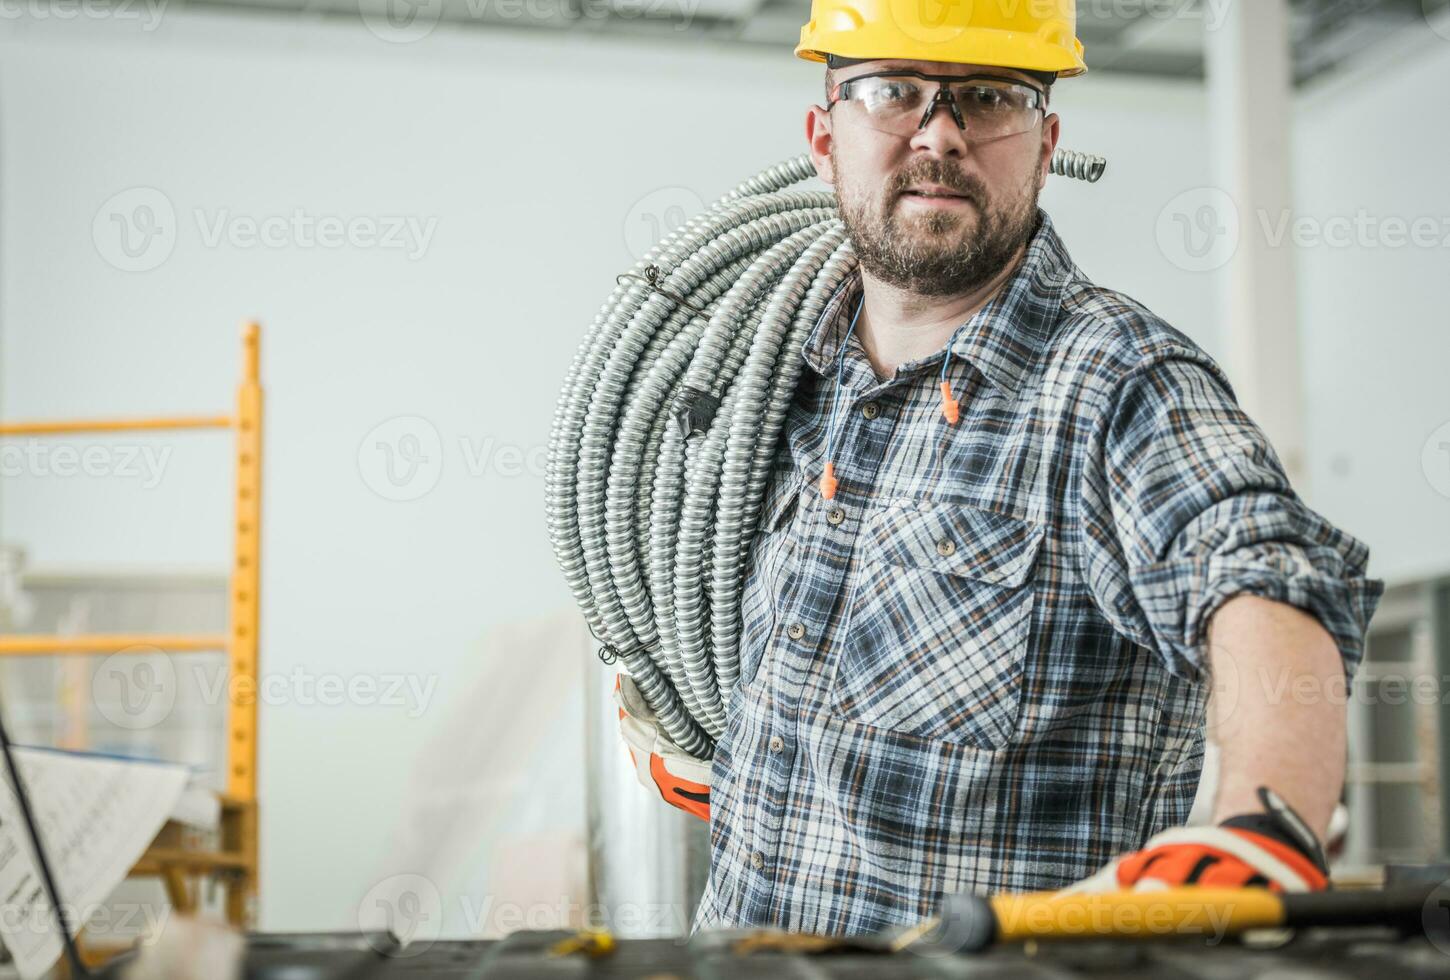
1032, 36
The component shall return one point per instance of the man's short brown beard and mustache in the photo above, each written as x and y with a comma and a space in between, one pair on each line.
937, 253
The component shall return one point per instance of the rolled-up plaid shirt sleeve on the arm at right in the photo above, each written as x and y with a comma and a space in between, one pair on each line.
1185, 505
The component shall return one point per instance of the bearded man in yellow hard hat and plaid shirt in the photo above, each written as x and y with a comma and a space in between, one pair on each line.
1017, 530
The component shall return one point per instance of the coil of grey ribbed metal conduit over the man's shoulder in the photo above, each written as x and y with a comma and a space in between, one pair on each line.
666, 431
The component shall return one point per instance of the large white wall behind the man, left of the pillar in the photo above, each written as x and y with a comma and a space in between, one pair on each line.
540, 199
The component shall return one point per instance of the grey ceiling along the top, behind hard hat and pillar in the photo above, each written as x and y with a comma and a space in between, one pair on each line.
1162, 38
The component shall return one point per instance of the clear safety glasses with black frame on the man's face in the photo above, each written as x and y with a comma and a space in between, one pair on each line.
984, 107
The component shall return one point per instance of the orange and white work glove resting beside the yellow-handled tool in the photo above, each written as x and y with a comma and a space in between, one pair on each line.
1274, 850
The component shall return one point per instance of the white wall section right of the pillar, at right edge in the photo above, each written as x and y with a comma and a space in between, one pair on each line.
1372, 151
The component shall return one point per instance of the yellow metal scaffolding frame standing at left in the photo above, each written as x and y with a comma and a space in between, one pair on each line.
169, 859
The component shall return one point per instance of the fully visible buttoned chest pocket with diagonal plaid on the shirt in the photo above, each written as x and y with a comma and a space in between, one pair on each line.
940, 624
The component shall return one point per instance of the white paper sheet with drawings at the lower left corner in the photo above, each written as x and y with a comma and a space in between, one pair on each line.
96, 817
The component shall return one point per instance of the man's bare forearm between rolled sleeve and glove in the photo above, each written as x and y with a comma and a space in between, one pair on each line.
1278, 710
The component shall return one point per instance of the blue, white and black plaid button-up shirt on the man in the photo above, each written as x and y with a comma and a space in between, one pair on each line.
981, 668
